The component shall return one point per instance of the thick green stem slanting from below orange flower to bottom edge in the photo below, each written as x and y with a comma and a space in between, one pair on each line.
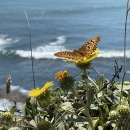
85, 107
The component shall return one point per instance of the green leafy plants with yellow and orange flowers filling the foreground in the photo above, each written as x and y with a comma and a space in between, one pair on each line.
73, 105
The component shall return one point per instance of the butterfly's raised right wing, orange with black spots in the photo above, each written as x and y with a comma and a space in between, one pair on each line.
88, 48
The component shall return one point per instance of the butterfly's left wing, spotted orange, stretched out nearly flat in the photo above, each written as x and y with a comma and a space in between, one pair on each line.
74, 55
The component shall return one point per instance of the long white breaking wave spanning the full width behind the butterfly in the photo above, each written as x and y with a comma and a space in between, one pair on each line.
48, 51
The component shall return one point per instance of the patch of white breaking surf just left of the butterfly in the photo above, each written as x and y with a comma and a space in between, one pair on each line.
46, 51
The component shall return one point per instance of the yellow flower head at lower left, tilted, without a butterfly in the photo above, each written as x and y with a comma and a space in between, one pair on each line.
43, 92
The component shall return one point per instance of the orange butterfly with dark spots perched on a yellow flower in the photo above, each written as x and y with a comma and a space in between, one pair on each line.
85, 50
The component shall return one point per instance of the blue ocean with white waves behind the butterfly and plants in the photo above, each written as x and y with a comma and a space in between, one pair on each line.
57, 26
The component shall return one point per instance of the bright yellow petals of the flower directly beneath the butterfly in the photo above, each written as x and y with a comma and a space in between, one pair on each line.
86, 58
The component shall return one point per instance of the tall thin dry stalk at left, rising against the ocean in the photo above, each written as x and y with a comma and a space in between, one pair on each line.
30, 47
